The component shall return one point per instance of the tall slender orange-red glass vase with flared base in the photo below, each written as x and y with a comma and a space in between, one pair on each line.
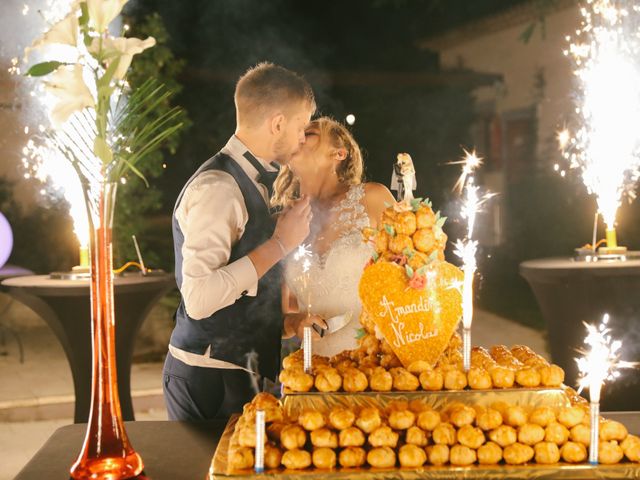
106, 452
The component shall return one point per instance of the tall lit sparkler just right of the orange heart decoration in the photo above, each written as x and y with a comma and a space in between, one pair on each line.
466, 248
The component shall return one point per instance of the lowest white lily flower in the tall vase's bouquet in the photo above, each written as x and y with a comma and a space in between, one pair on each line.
67, 85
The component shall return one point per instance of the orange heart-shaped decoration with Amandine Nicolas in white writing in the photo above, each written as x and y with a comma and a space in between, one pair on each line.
417, 323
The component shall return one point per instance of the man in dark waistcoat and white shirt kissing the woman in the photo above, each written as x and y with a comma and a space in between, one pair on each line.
227, 247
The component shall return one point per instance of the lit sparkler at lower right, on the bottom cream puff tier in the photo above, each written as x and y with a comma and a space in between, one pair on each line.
600, 363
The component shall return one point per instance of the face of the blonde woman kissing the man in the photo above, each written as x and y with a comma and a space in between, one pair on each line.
314, 158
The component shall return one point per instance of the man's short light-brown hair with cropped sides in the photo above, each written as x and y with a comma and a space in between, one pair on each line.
266, 88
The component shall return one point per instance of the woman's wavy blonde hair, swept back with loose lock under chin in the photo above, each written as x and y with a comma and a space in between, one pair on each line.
287, 186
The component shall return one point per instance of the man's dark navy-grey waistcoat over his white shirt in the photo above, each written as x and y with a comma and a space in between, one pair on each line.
251, 325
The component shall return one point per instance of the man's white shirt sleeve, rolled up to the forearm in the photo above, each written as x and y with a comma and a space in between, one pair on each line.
212, 217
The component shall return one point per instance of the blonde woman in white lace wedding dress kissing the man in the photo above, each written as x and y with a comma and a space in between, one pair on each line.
328, 169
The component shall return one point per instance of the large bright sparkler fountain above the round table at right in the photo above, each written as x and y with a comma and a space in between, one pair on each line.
606, 146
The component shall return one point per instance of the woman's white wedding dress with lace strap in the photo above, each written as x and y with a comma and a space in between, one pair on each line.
330, 286
